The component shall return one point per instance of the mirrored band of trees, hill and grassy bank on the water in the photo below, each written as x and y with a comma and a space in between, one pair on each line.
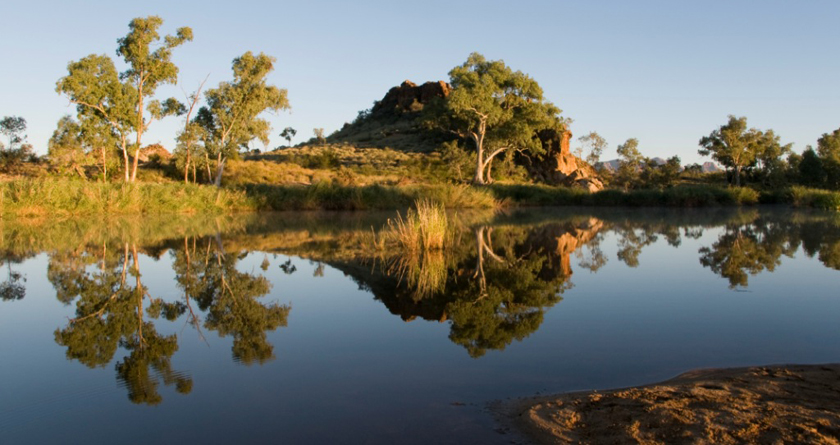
492, 286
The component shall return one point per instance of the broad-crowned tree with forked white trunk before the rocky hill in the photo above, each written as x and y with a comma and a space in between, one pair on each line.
496, 108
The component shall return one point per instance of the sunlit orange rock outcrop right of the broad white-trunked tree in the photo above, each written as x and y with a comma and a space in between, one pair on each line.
559, 166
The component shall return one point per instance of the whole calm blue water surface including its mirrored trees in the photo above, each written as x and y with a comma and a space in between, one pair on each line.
317, 329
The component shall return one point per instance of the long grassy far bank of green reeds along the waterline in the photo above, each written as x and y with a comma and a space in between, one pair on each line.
47, 196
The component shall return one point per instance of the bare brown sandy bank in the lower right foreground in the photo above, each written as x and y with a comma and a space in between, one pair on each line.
784, 404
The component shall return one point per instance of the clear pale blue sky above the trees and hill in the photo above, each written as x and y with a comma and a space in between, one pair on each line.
665, 72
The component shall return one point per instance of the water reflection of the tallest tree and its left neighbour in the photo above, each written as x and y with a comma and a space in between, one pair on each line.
110, 313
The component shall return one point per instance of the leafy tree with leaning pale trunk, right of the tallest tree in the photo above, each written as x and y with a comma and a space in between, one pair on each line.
231, 116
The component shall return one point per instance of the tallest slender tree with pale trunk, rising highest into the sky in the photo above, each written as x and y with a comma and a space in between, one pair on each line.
148, 69
